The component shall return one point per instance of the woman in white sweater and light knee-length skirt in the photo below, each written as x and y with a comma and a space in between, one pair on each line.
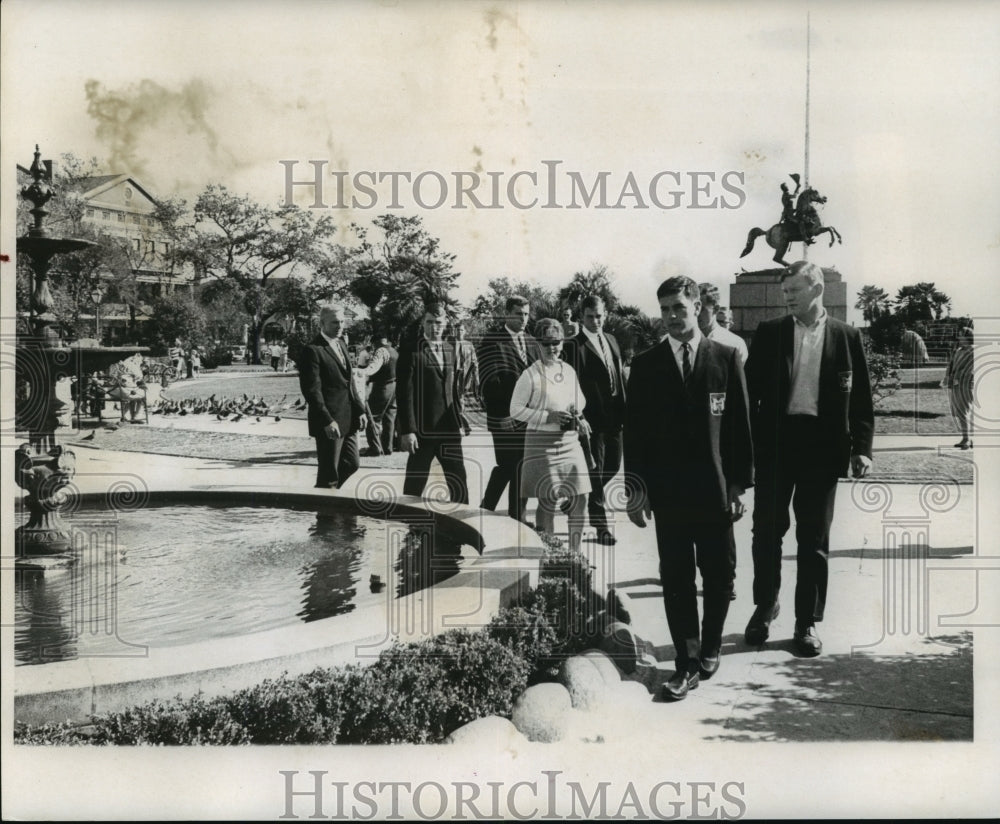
548, 399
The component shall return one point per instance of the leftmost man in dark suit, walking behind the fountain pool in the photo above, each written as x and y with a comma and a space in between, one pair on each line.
336, 411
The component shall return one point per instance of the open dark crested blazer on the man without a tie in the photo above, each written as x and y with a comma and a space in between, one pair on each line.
846, 414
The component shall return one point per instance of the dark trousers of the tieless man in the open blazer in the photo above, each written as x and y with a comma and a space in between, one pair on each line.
798, 477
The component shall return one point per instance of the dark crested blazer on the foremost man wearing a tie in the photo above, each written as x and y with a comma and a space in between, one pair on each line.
687, 443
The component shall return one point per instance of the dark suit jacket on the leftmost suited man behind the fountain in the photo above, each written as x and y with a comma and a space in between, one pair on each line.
328, 388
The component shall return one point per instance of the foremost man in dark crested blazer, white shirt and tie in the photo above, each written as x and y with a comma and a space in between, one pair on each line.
688, 459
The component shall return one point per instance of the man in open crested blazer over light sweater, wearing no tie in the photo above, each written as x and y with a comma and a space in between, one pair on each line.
812, 416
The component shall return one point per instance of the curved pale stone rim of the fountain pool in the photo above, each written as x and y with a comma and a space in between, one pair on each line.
504, 566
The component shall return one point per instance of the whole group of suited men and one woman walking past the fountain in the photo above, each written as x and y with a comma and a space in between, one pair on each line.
697, 421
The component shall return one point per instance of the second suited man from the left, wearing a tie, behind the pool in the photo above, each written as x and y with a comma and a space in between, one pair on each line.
429, 404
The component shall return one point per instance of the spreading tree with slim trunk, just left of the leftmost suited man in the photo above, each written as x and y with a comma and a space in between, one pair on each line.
248, 243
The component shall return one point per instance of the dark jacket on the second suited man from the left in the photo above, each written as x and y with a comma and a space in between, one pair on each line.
427, 393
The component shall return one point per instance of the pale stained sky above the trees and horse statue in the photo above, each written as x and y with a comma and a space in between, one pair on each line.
903, 121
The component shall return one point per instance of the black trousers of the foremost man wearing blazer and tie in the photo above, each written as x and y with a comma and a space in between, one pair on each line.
684, 543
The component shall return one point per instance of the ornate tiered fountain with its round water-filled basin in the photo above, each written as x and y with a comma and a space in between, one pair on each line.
70, 574
